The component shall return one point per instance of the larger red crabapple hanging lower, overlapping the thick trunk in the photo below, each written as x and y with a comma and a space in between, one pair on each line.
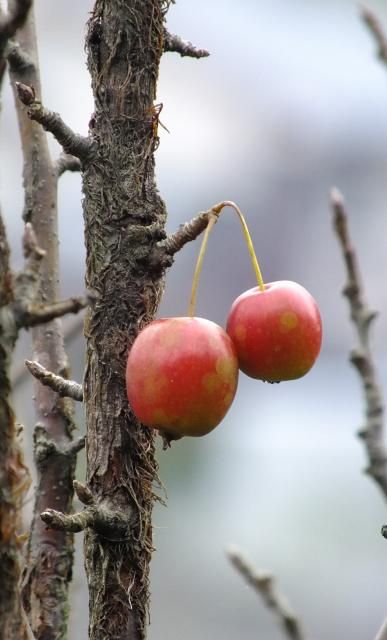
182, 375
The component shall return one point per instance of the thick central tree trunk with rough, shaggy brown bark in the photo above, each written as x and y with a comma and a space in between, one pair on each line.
124, 219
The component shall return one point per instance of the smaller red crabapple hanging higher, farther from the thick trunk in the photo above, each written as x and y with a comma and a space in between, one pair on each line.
277, 332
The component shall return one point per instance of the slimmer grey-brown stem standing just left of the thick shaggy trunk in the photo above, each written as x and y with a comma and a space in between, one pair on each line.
50, 552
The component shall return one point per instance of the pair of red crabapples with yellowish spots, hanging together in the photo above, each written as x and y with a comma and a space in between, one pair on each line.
182, 373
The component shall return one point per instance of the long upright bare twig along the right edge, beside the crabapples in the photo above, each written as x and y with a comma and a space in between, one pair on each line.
373, 431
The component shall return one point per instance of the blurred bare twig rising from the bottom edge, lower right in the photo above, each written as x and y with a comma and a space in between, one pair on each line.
265, 586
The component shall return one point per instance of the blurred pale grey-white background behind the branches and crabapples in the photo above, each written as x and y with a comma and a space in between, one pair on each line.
291, 102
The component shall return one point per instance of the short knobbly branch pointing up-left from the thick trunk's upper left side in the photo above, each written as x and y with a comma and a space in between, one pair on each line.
72, 143
